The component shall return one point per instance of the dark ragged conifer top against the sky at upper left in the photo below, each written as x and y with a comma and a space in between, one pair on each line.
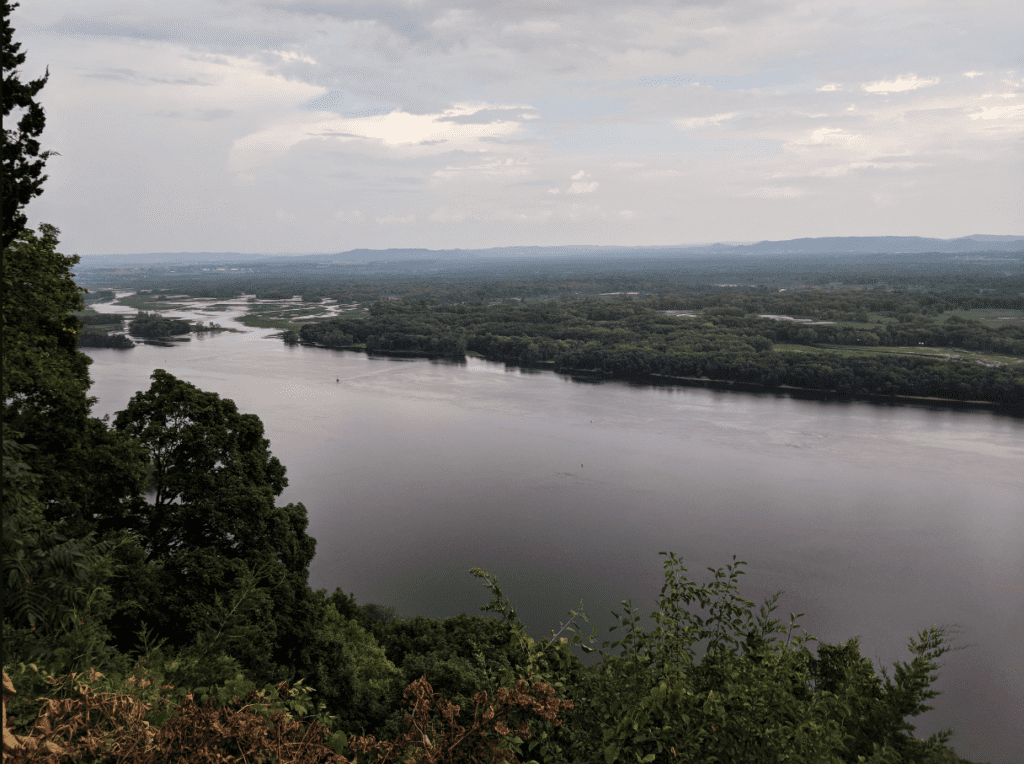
23, 163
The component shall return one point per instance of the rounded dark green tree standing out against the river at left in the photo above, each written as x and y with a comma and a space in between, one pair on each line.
211, 519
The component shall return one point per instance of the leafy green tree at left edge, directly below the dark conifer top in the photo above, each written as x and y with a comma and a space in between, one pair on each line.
90, 474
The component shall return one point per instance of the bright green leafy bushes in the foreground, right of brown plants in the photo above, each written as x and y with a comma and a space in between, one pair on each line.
771, 702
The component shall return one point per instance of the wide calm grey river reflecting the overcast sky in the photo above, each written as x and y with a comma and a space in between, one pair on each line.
877, 521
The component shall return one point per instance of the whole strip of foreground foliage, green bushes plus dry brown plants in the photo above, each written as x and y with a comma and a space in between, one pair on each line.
772, 701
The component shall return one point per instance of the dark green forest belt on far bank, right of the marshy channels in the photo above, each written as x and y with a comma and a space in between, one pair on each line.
728, 343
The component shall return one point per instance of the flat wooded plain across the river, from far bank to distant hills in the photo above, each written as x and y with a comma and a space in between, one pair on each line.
928, 329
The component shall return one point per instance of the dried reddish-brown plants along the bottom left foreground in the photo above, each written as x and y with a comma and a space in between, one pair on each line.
111, 729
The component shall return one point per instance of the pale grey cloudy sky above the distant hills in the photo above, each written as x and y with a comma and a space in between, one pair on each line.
306, 126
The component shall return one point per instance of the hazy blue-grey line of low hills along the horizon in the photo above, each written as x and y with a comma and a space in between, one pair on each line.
827, 245
